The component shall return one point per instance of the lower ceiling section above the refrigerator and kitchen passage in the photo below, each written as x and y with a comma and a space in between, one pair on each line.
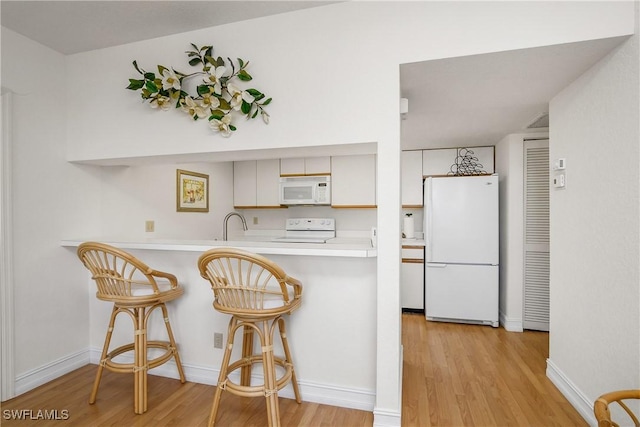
477, 100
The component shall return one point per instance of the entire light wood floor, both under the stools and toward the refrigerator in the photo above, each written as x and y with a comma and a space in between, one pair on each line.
454, 375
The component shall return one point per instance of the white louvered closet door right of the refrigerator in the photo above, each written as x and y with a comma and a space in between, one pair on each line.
536, 235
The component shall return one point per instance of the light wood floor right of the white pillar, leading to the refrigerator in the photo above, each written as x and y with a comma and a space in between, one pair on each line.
495, 377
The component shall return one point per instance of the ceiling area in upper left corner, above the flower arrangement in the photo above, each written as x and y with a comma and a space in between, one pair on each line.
78, 26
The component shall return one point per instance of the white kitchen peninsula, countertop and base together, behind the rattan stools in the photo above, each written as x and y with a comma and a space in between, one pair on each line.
328, 334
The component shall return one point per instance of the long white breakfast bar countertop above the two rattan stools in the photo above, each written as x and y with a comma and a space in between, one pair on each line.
337, 247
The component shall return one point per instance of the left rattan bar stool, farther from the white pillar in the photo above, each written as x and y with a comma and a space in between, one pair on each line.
137, 290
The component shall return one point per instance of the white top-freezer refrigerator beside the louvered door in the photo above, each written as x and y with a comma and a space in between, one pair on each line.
462, 249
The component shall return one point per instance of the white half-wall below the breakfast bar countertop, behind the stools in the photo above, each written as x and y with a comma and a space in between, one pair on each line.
328, 334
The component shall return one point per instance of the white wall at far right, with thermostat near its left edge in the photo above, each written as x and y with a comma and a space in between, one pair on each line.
595, 247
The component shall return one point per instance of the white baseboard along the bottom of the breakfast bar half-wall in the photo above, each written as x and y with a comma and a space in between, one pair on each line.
325, 394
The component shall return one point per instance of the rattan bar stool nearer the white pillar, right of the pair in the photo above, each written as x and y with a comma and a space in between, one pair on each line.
256, 292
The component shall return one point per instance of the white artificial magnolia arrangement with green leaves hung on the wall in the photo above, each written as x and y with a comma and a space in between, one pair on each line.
217, 96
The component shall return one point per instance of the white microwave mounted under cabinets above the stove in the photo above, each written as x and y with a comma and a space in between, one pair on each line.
305, 190
